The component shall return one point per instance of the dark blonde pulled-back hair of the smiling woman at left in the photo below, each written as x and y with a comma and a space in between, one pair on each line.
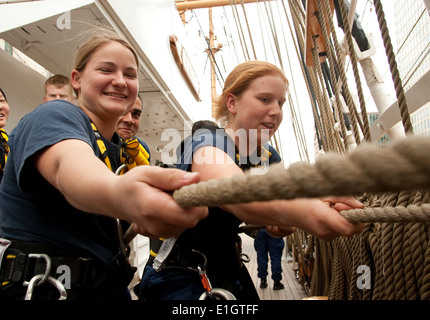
99, 37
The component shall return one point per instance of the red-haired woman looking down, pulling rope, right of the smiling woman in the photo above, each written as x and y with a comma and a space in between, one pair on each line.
250, 106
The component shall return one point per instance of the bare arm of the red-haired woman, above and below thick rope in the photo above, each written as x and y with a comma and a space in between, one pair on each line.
312, 215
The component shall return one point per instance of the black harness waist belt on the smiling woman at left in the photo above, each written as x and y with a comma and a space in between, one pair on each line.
83, 271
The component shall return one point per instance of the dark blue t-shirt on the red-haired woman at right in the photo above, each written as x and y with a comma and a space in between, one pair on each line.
216, 235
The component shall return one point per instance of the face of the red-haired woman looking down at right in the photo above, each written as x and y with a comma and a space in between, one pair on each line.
259, 107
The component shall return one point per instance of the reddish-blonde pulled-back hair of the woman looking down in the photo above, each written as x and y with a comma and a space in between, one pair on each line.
239, 80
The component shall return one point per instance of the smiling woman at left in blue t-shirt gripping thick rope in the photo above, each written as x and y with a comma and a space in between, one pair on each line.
61, 198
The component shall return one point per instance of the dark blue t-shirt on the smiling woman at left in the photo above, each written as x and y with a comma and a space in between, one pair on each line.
31, 209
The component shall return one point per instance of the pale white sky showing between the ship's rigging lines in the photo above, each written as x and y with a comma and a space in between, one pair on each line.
231, 54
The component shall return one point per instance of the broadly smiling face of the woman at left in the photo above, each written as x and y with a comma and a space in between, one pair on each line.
107, 86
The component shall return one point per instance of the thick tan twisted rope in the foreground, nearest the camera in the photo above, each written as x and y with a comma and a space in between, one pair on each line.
368, 168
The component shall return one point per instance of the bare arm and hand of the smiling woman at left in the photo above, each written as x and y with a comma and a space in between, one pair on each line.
138, 196
